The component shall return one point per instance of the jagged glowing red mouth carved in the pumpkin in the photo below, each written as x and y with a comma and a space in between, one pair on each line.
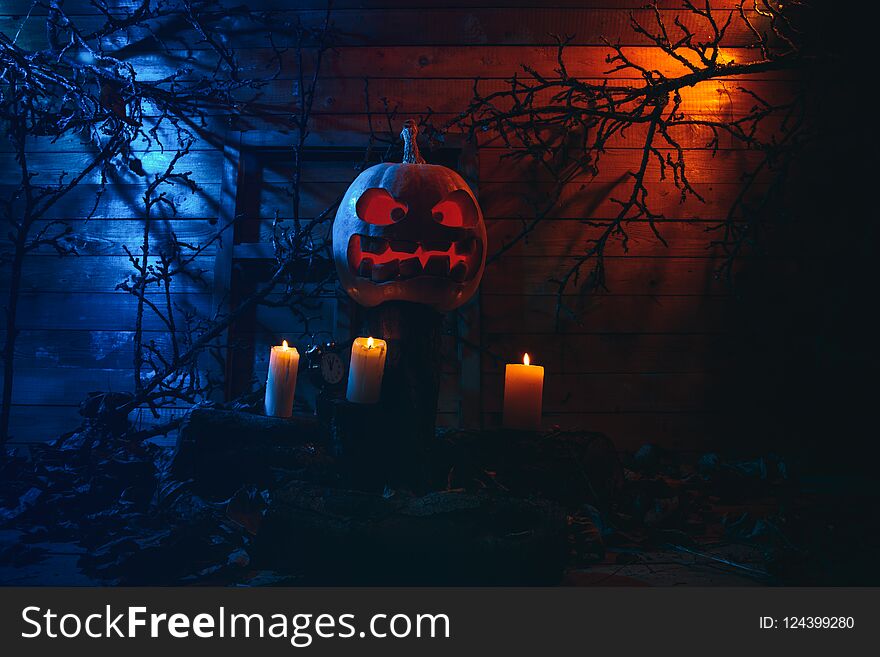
383, 261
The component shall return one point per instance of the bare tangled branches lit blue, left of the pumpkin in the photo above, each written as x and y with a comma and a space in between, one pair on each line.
77, 86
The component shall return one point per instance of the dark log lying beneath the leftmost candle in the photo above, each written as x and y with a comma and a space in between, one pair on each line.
224, 450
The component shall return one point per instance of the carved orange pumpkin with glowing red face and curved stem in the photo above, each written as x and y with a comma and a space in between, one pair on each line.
409, 232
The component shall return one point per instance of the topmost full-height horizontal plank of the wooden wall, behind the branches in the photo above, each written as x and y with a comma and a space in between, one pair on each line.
414, 26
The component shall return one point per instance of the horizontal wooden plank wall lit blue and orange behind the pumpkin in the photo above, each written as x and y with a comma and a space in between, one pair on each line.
648, 361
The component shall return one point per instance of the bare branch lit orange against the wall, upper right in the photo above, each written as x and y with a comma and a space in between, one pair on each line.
565, 124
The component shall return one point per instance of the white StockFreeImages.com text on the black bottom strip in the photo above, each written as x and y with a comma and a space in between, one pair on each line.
300, 629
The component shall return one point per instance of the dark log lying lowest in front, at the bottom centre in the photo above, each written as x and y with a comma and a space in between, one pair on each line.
341, 537
